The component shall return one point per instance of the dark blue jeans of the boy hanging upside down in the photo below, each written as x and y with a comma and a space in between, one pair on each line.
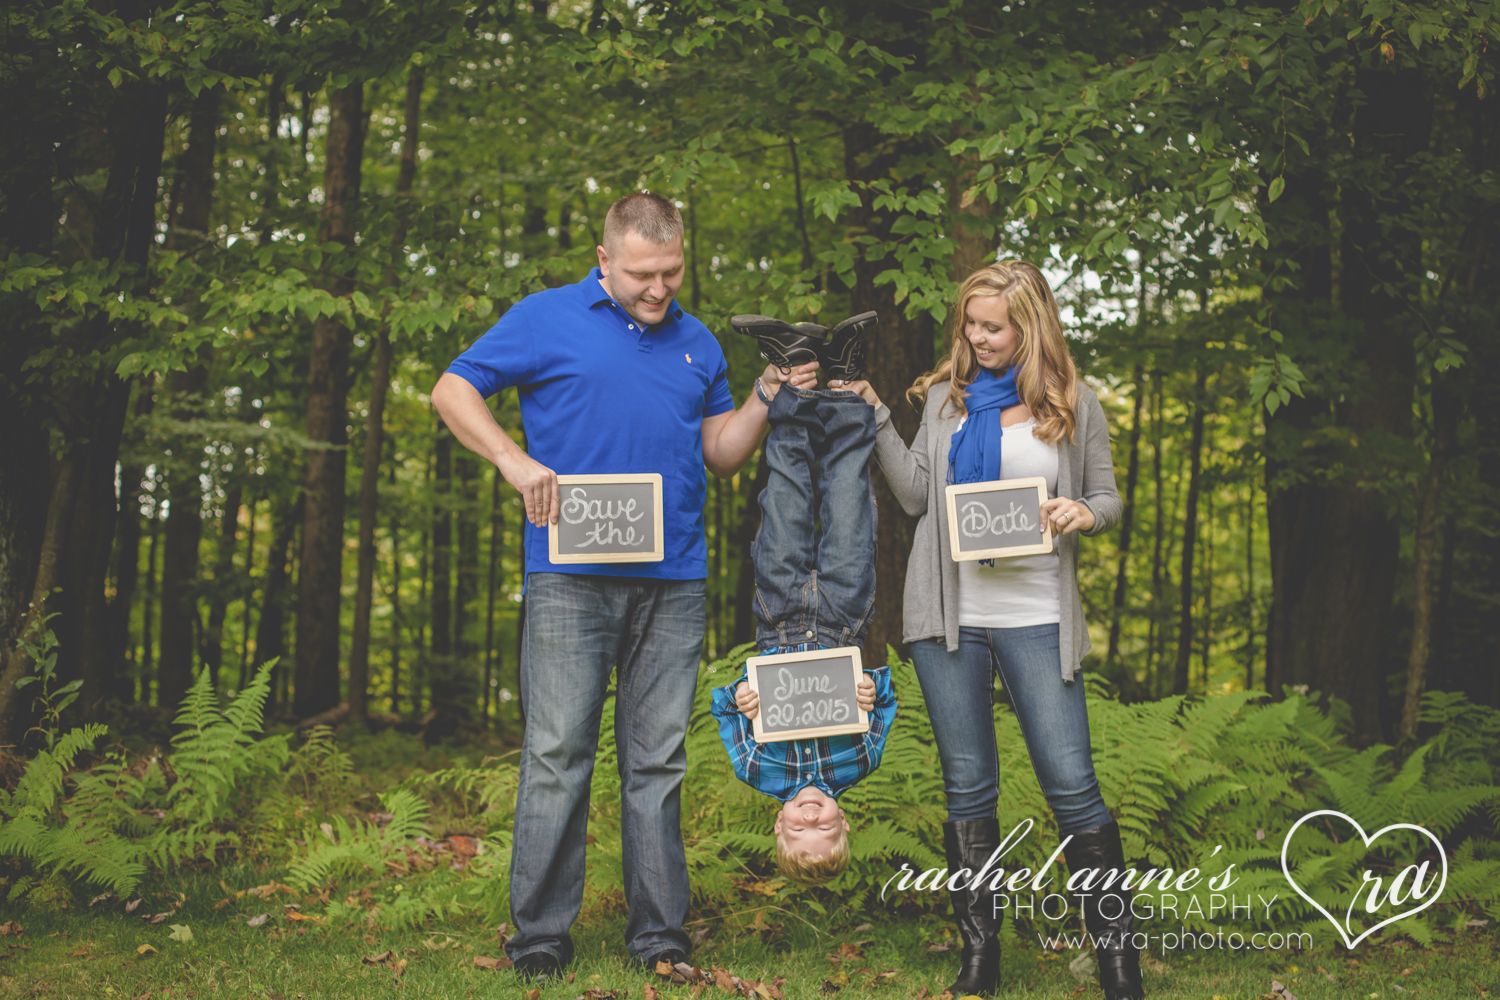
817, 587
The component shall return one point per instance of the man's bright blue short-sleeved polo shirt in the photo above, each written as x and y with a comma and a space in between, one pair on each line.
601, 395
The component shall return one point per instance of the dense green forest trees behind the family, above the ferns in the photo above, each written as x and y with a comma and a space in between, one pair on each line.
244, 239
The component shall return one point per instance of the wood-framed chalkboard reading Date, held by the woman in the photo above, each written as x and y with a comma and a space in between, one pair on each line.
998, 519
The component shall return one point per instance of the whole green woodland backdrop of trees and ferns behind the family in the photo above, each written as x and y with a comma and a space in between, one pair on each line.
244, 239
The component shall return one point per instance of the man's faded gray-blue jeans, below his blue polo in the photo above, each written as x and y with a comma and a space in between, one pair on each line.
578, 629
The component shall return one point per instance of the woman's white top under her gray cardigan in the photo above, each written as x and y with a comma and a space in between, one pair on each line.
1024, 590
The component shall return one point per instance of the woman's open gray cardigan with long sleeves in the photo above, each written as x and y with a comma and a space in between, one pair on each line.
919, 475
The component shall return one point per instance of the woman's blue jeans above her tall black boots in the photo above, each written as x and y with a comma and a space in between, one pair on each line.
1051, 711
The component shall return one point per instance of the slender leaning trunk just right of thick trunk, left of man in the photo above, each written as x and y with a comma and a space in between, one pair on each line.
376, 421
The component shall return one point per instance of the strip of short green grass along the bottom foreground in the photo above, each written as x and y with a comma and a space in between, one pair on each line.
80, 953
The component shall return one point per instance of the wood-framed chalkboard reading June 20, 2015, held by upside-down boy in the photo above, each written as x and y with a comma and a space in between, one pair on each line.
806, 695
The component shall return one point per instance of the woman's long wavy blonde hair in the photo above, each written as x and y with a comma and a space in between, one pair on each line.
1048, 382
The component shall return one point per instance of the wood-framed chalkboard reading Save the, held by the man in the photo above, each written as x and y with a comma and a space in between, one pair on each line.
608, 519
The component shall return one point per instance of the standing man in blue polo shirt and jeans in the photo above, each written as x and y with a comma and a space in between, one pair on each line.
614, 377
